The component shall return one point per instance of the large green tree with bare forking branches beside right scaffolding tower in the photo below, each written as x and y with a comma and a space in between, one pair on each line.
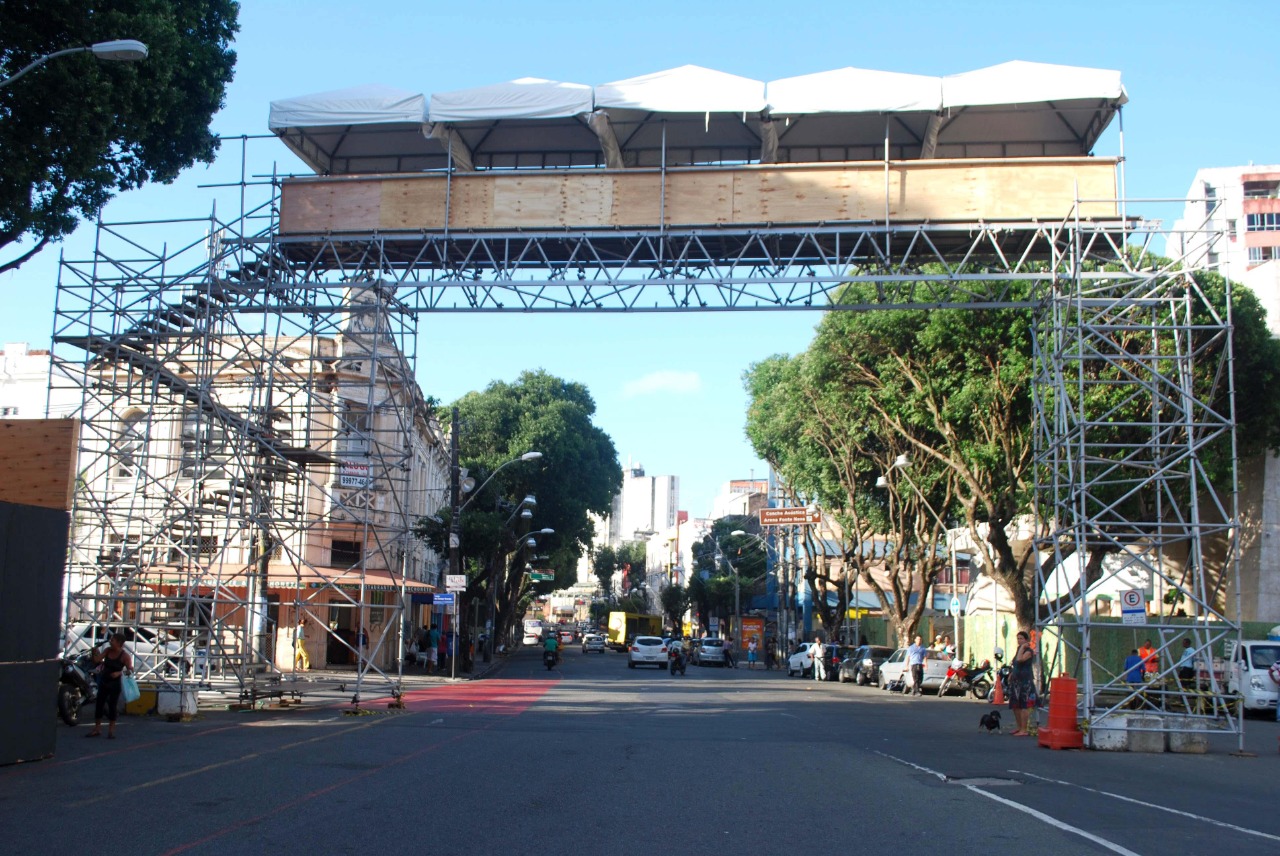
954, 391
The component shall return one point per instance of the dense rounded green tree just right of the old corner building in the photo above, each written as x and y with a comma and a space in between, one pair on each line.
578, 475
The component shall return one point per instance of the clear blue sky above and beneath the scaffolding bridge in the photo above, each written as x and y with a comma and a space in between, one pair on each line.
669, 387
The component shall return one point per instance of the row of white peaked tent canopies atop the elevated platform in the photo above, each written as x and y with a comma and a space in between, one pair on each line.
698, 116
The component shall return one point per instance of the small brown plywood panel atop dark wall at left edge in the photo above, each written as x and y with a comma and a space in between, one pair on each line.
38, 459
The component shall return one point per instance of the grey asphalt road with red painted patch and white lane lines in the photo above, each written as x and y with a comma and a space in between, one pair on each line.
596, 758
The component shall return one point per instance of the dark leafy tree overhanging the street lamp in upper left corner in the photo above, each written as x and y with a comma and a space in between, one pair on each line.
76, 131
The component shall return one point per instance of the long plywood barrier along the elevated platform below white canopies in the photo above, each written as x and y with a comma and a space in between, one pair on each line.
938, 191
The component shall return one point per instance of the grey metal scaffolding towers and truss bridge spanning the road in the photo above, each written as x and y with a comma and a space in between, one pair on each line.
230, 383
